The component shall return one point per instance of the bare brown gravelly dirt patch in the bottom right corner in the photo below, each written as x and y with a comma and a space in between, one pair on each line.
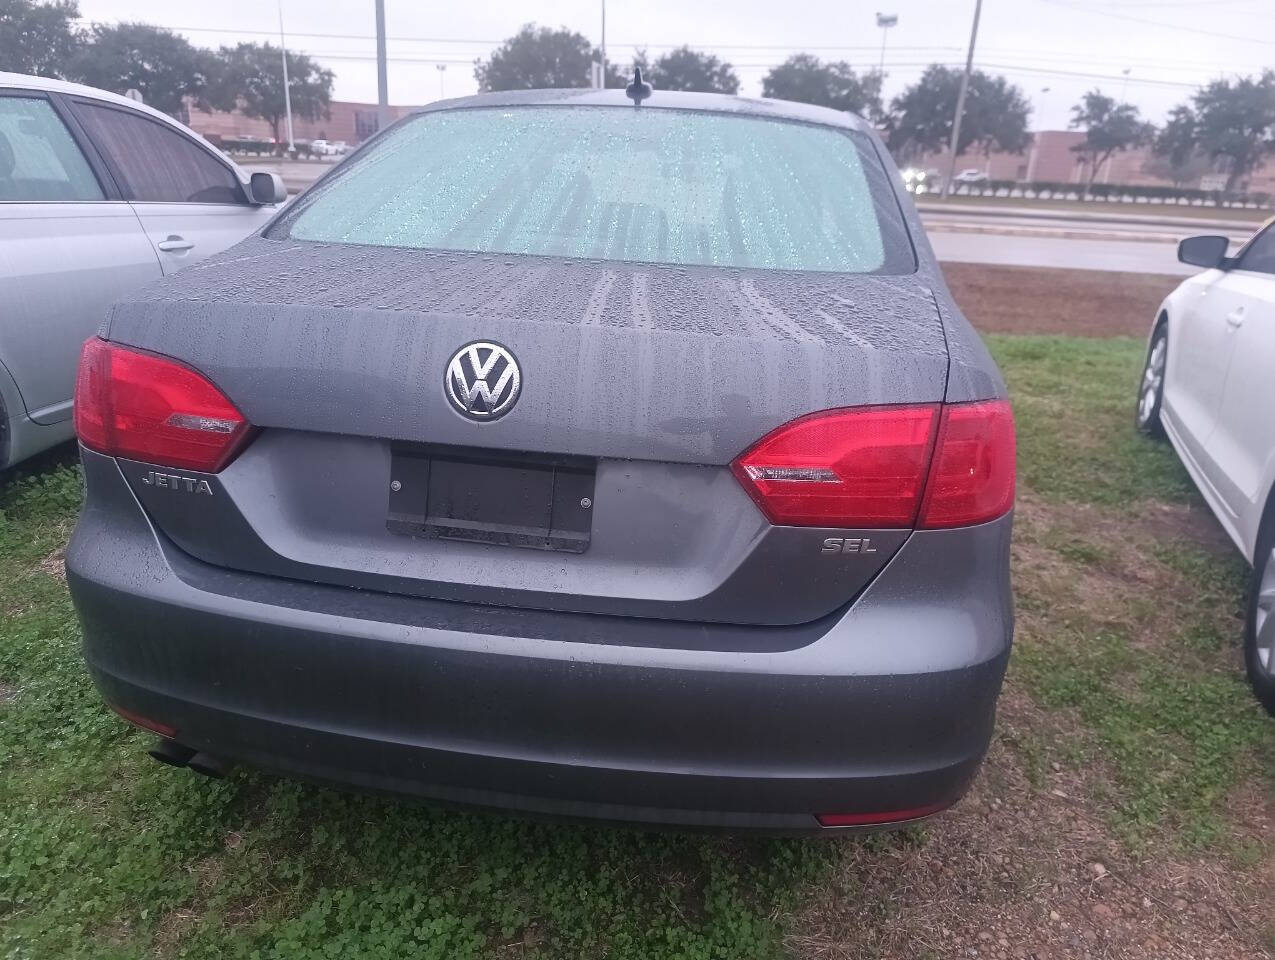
1023, 870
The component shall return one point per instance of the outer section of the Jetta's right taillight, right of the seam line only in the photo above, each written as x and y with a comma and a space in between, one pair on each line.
972, 479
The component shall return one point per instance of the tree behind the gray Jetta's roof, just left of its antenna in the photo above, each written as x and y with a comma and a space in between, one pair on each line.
537, 58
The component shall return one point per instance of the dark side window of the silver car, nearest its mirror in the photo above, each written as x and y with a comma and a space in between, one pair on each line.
157, 165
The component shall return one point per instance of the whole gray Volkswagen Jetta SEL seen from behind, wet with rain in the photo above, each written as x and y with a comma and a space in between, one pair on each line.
564, 456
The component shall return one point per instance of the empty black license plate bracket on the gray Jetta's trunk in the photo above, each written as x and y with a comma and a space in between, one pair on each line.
509, 499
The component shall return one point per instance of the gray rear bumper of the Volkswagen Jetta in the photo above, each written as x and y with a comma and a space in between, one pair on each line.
891, 709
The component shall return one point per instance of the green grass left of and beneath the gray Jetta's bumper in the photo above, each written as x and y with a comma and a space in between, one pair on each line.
105, 855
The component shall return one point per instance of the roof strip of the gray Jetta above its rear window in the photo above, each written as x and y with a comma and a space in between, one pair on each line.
762, 108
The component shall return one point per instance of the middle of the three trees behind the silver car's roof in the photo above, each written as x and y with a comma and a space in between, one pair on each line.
161, 66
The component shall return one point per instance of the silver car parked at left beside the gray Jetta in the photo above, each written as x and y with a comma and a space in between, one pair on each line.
99, 197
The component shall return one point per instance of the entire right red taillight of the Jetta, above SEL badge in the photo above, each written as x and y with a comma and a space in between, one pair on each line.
883, 467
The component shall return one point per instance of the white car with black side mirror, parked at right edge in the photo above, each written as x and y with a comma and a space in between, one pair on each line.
1209, 386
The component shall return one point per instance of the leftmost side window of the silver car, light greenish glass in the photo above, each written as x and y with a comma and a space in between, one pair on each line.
39, 160
